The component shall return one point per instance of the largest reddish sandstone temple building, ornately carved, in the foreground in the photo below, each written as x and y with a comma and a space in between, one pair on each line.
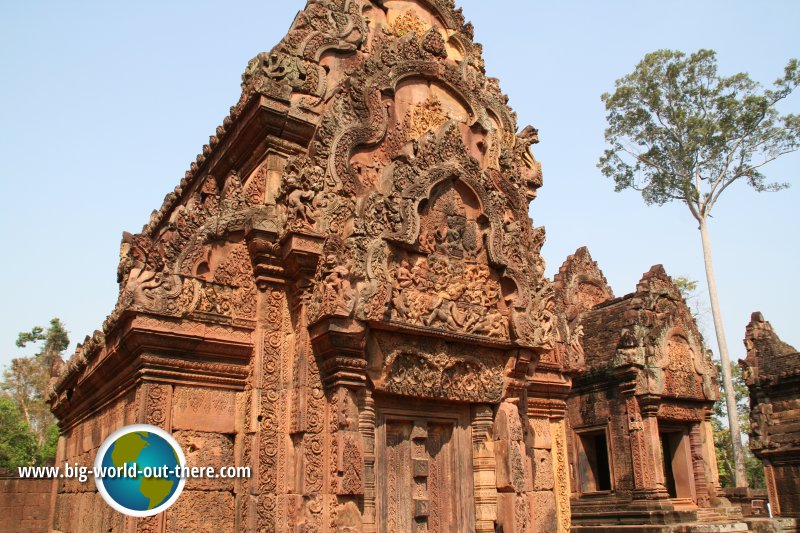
356, 231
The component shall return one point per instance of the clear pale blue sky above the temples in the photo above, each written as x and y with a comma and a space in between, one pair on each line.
103, 105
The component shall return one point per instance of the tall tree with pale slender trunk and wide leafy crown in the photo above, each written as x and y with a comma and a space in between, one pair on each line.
678, 131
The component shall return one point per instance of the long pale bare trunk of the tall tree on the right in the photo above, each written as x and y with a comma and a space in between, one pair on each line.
739, 474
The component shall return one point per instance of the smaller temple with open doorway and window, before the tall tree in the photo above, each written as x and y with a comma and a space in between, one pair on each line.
639, 433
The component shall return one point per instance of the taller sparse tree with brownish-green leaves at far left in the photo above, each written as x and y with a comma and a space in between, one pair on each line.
25, 384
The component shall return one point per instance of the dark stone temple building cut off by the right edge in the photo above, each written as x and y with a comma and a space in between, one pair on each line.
772, 373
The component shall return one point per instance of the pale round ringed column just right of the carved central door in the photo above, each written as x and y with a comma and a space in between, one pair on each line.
483, 466
